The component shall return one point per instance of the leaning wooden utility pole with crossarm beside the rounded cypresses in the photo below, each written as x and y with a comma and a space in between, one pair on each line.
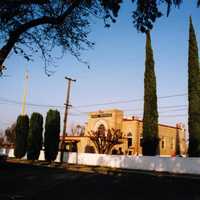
67, 106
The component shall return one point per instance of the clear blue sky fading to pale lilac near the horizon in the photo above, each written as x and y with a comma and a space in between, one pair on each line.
116, 74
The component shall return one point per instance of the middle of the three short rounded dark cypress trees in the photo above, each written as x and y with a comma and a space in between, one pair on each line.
35, 136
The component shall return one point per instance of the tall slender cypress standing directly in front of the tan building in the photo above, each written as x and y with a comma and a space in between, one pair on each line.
150, 116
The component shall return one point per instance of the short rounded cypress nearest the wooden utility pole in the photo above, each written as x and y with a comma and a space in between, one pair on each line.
52, 135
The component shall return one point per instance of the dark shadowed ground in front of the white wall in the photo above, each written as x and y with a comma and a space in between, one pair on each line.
22, 181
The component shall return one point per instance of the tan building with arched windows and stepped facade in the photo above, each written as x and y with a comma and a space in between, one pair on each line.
171, 138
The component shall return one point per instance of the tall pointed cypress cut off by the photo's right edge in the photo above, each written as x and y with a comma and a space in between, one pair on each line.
193, 94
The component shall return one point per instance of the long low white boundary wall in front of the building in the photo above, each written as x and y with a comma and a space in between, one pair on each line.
148, 163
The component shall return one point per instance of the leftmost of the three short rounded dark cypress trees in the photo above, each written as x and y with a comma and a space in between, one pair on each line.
22, 128
